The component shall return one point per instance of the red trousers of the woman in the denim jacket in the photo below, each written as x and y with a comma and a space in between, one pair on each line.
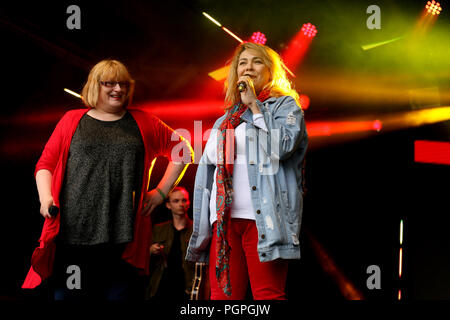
267, 279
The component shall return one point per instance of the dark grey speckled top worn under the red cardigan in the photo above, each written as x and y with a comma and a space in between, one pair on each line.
104, 169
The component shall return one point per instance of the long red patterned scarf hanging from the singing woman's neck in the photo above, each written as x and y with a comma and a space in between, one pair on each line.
224, 196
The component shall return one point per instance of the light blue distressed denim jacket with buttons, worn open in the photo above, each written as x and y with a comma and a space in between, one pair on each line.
274, 161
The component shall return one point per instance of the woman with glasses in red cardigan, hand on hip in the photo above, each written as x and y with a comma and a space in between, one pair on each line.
95, 169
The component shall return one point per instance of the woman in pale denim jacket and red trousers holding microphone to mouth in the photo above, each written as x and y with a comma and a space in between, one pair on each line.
248, 188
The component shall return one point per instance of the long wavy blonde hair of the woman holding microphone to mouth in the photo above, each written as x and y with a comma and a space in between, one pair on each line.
278, 84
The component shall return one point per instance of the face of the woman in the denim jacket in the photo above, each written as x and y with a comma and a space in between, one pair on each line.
251, 64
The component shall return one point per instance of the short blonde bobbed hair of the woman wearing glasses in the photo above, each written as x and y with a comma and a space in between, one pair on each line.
103, 71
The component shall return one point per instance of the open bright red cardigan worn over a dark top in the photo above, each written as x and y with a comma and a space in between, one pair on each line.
158, 141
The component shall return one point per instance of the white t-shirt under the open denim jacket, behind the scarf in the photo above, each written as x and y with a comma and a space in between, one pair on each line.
241, 206
